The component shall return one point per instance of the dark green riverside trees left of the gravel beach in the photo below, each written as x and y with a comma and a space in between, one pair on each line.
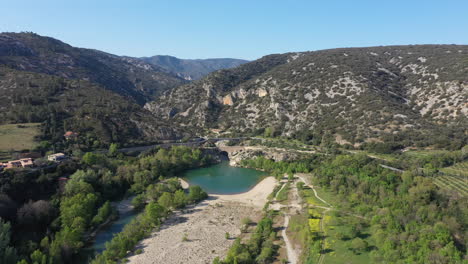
59, 218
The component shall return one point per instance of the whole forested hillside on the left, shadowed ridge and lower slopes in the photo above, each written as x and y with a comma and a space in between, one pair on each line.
95, 94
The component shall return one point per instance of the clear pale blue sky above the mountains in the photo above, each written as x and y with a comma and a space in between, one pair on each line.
237, 29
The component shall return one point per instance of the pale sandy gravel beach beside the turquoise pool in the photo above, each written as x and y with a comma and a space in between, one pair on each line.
205, 226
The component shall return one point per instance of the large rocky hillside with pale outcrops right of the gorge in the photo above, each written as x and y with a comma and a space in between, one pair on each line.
400, 93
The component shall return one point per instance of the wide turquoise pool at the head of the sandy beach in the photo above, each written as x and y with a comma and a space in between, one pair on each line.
224, 179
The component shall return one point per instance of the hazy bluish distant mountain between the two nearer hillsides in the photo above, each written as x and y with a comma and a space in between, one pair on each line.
192, 69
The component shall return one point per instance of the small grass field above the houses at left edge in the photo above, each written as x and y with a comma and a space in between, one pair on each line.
17, 137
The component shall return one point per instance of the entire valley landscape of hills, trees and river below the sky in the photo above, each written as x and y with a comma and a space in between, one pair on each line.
347, 155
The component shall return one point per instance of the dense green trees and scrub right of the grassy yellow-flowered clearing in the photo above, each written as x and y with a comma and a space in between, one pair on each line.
411, 220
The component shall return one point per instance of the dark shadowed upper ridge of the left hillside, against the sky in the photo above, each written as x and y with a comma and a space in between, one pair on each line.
125, 76
